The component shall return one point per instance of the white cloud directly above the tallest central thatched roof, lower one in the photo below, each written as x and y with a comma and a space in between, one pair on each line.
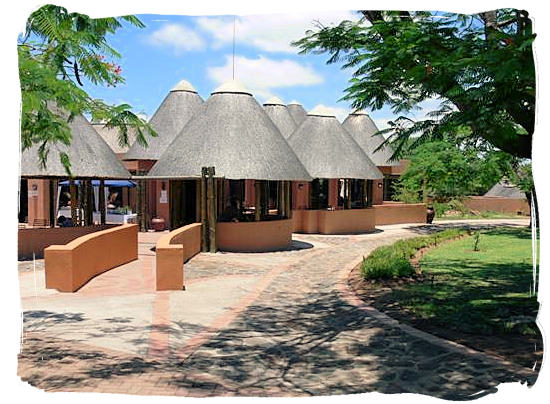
261, 75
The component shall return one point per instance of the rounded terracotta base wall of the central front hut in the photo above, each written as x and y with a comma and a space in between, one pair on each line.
265, 236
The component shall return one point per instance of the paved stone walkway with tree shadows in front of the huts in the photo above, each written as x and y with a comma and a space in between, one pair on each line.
271, 324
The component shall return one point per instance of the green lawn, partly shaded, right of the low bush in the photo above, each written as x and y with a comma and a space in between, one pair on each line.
482, 292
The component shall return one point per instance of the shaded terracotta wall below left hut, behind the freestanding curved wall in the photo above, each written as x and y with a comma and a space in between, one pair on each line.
31, 241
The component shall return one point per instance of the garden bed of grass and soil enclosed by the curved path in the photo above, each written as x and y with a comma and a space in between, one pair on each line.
476, 298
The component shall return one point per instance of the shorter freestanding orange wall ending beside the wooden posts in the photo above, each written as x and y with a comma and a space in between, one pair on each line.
172, 250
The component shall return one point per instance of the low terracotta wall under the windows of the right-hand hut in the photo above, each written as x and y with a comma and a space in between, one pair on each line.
344, 221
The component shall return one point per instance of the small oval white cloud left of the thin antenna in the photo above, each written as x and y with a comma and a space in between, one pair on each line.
178, 37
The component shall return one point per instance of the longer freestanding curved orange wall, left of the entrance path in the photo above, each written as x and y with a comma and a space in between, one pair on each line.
70, 266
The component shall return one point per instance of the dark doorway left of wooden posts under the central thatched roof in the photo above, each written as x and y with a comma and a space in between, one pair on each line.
183, 202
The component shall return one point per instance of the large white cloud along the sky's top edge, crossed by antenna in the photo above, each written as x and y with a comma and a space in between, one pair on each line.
271, 32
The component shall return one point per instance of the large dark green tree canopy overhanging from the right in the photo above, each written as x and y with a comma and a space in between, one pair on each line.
480, 67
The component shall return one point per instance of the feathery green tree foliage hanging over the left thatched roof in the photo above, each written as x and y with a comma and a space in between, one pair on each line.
60, 53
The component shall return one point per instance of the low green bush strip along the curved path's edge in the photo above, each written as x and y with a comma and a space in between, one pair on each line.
393, 260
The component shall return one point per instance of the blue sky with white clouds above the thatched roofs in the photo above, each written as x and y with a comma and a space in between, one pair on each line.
199, 49
